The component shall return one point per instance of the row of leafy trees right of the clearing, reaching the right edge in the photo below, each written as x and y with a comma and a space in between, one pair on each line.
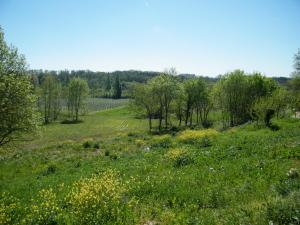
237, 96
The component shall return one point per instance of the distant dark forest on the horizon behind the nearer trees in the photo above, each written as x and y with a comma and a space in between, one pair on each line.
101, 83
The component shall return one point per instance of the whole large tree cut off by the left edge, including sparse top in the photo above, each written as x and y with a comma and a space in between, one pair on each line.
18, 112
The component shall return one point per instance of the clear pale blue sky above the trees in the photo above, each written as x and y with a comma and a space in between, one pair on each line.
208, 37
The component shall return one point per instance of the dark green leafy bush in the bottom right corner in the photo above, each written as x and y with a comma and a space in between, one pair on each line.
286, 210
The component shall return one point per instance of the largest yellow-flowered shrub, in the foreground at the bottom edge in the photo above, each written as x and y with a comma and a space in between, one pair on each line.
99, 200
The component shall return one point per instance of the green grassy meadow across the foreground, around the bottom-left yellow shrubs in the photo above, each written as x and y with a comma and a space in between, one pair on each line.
239, 178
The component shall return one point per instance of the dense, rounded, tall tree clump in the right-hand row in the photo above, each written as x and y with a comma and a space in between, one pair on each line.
235, 93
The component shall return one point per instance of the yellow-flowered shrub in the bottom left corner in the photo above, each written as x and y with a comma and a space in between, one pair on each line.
9, 207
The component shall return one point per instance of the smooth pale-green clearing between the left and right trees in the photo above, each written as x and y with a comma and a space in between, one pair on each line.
103, 124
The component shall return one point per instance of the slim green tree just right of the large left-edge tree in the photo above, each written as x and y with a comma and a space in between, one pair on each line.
50, 99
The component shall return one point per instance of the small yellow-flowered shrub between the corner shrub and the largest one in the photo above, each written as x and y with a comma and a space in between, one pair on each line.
44, 209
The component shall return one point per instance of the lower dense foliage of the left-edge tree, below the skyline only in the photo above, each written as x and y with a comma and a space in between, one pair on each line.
18, 113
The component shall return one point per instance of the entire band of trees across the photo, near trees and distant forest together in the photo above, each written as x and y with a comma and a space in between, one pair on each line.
167, 97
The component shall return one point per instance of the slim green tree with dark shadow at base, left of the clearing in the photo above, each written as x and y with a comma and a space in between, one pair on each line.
77, 92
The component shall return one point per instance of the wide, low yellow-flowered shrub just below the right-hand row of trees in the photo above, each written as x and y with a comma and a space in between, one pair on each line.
202, 137
